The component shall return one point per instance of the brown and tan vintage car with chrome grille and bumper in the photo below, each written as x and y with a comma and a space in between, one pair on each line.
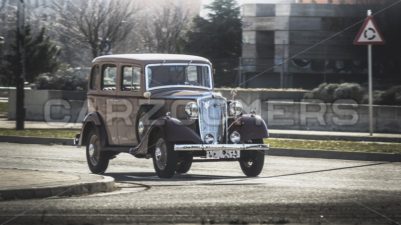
162, 106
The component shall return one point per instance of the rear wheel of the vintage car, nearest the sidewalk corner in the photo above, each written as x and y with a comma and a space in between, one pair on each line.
97, 159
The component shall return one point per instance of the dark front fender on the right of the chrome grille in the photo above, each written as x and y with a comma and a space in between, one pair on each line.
250, 127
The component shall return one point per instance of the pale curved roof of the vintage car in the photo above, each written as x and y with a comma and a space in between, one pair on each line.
152, 57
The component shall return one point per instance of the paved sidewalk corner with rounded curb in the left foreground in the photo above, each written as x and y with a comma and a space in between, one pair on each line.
24, 184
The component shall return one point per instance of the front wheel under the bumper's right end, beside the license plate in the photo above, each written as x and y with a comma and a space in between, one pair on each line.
252, 162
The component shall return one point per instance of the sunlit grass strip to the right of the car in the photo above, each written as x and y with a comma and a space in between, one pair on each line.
345, 146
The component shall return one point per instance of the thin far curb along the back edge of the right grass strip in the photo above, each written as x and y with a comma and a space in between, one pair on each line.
335, 137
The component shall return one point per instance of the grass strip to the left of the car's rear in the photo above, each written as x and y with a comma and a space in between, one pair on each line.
44, 133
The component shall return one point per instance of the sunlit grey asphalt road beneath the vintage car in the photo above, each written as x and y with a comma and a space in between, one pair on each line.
289, 191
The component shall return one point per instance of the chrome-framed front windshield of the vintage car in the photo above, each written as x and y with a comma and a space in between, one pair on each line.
184, 75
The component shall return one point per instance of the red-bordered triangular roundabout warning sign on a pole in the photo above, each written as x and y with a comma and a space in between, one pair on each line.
369, 34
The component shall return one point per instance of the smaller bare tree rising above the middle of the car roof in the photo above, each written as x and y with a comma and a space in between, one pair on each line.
163, 31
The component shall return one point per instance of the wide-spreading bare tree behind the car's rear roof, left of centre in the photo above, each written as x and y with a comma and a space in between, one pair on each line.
95, 23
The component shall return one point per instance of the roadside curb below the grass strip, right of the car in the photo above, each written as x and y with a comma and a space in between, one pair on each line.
362, 156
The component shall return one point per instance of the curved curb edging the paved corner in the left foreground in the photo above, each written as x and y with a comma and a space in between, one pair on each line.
106, 184
